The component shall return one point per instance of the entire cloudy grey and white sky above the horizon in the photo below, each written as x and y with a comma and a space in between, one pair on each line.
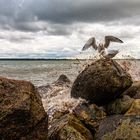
59, 28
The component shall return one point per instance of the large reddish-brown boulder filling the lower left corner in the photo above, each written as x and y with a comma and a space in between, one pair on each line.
22, 115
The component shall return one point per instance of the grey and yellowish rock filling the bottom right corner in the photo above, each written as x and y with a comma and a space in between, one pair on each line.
119, 128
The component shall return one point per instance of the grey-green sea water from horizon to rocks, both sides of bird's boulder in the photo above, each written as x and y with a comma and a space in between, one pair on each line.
42, 72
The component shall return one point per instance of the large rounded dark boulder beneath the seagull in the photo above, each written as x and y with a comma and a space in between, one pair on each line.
101, 82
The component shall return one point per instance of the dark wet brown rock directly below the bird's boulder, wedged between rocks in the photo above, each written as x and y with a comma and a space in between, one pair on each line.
89, 115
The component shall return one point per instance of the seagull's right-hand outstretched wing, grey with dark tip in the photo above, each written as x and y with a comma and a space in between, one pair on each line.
108, 39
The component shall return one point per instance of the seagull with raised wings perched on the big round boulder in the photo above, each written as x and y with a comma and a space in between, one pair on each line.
101, 48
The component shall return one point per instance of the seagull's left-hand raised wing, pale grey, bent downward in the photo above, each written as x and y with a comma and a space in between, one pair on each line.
89, 43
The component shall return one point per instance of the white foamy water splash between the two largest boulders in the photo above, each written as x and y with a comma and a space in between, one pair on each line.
58, 99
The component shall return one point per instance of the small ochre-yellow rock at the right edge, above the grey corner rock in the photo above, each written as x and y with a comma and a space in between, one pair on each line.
134, 109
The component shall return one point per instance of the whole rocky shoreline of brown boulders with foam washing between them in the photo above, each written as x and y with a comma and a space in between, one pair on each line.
103, 103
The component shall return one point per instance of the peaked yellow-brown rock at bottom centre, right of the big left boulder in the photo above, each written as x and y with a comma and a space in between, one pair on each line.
68, 127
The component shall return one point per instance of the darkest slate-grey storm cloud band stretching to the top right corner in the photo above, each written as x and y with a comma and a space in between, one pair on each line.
85, 11
